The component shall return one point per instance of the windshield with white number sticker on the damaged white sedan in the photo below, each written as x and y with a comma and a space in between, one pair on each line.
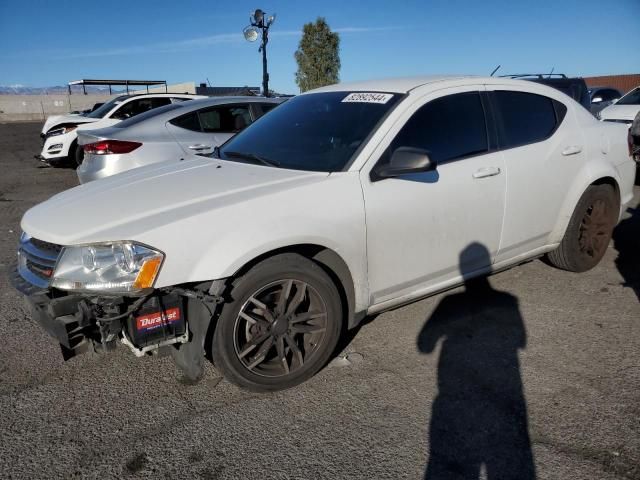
317, 132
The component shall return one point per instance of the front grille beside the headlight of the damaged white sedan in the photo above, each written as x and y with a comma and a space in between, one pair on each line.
37, 260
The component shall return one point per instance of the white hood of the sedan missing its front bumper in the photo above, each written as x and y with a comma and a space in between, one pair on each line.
126, 206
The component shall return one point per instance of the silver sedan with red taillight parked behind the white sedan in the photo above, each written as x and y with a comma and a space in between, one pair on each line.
167, 133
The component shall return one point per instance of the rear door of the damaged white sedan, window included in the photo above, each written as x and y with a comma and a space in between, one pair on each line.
542, 147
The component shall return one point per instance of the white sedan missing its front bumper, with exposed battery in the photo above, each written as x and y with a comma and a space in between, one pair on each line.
341, 203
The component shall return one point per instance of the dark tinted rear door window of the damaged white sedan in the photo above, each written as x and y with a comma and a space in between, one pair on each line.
525, 118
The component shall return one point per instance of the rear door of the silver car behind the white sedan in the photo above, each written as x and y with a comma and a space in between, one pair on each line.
202, 130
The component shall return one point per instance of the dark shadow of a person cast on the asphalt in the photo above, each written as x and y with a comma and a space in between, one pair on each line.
479, 418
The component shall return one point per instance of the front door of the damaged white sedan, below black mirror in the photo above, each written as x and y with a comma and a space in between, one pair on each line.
418, 225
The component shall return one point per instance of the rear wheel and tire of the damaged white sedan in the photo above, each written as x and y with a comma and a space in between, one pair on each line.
589, 231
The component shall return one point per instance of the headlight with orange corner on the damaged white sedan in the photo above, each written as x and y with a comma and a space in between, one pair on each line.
118, 267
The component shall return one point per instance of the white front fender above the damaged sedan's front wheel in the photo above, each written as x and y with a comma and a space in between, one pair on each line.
329, 214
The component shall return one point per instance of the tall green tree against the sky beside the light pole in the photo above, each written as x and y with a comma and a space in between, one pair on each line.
318, 56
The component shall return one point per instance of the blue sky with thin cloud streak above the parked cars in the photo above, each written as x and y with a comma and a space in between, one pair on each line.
44, 43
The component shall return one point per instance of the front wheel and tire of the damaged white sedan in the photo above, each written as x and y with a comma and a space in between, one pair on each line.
289, 276
